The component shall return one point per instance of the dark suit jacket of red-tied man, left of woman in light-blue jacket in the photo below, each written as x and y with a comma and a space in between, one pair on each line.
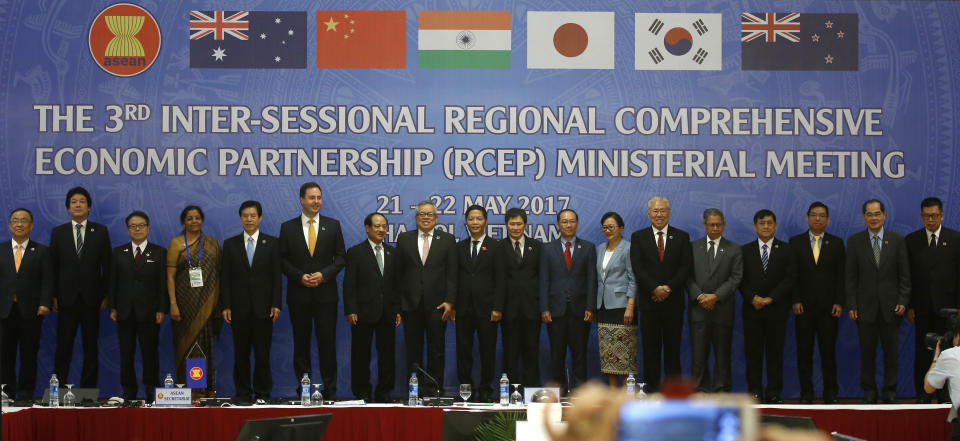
557, 283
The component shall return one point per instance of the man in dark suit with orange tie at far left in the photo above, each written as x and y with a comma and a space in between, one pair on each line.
26, 296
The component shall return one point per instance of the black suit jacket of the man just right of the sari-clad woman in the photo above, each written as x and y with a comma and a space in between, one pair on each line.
251, 290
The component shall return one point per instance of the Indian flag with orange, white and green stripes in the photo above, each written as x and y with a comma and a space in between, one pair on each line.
464, 40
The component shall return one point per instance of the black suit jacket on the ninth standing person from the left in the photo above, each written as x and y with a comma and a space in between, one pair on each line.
475, 282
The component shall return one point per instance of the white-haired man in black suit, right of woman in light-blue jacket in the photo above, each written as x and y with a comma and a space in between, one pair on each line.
662, 263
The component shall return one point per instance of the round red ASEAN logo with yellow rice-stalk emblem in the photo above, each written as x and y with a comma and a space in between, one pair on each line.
124, 39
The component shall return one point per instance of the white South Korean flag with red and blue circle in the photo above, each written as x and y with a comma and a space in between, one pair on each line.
678, 42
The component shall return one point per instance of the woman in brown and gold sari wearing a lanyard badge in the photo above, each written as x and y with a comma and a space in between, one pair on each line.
193, 269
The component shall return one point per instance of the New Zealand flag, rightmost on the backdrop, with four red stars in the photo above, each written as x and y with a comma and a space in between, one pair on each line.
796, 41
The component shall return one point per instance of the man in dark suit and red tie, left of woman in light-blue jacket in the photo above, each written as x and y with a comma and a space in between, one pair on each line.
568, 297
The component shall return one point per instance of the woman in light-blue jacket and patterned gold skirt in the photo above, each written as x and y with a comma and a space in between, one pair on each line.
616, 327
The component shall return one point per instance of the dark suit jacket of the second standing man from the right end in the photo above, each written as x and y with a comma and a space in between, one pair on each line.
875, 291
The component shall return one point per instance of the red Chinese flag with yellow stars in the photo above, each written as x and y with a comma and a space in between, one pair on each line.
361, 40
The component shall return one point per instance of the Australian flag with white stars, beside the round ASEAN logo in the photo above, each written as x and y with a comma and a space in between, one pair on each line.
248, 39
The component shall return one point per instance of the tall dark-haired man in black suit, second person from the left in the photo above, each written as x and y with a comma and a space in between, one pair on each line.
80, 251
